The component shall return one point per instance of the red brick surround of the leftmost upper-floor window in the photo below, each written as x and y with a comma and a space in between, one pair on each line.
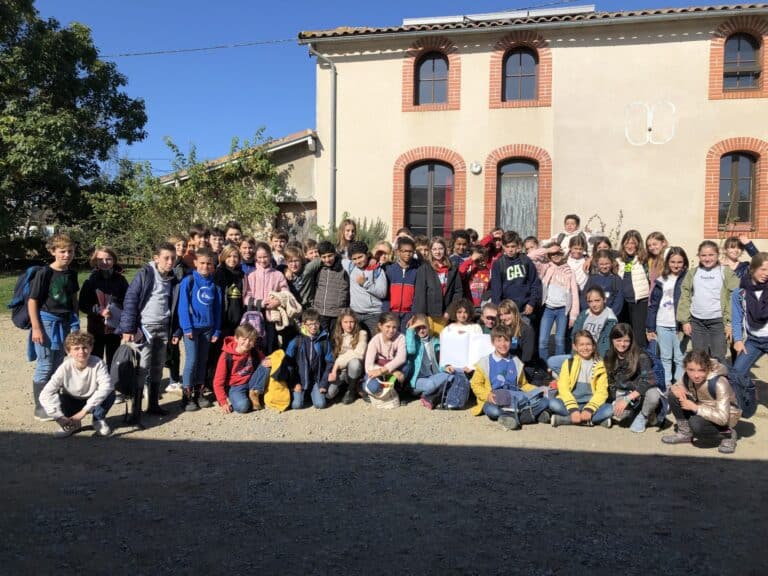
413, 56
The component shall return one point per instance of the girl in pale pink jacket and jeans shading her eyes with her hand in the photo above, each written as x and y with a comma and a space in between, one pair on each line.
560, 297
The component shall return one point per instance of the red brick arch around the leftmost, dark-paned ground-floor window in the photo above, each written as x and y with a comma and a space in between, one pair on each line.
421, 155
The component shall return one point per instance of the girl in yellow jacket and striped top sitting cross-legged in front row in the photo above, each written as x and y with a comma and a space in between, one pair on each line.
582, 388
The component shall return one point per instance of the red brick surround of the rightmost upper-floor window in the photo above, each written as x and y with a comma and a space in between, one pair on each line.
747, 27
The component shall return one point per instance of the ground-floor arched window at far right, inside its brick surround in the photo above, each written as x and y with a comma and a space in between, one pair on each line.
737, 189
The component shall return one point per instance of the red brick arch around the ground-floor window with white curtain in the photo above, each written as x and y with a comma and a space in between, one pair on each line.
524, 152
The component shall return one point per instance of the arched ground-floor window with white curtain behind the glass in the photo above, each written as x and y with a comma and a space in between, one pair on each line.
517, 196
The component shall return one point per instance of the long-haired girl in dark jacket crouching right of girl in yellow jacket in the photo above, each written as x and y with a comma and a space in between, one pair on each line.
631, 381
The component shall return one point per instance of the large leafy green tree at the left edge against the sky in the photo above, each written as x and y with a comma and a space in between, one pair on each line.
62, 111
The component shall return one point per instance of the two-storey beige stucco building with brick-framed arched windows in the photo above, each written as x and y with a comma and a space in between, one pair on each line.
518, 120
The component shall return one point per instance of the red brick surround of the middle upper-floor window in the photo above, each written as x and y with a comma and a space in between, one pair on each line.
540, 47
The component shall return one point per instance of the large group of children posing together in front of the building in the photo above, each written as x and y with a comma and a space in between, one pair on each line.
339, 322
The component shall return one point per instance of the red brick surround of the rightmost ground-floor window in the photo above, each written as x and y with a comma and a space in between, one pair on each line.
758, 149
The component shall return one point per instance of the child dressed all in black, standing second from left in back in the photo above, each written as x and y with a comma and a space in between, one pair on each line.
101, 299
